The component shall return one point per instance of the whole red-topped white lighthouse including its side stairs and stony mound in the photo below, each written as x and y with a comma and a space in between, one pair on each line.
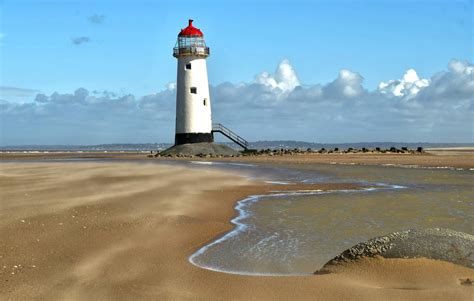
194, 128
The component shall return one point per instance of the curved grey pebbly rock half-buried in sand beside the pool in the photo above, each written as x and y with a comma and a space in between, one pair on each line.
433, 243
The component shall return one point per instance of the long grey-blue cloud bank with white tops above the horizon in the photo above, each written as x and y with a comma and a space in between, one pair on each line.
274, 106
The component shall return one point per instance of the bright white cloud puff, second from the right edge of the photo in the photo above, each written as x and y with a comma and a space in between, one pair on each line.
408, 86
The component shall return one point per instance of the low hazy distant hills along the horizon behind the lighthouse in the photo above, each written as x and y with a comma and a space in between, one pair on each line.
286, 144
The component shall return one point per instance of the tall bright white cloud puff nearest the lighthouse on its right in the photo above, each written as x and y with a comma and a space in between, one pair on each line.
284, 78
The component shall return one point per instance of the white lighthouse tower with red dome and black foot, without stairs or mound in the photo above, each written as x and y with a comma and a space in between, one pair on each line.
193, 104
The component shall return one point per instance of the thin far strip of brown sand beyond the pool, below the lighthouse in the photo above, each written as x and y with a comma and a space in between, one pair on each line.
433, 159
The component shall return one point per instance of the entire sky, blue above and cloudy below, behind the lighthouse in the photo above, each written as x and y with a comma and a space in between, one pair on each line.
92, 72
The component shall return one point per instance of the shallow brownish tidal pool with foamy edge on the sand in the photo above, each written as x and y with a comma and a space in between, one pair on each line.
297, 234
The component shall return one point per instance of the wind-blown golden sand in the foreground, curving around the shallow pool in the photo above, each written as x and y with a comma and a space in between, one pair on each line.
82, 231
